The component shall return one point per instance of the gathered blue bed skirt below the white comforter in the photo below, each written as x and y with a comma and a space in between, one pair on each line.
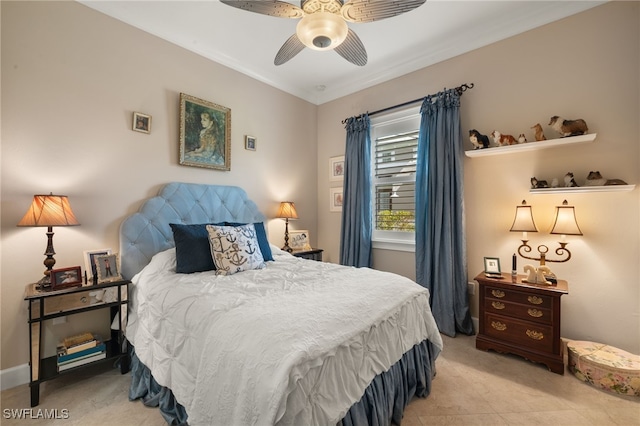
382, 404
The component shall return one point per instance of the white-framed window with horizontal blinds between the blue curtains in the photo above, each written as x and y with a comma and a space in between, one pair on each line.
395, 151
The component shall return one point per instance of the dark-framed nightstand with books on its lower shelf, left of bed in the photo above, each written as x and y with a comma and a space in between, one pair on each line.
47, 305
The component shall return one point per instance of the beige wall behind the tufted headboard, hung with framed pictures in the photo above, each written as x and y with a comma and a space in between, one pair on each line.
71, 78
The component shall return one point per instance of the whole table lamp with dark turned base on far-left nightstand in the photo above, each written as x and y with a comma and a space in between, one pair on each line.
49, 210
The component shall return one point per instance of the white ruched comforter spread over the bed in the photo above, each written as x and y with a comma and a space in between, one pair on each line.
294, 343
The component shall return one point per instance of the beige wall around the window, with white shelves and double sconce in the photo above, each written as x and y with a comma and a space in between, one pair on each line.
586, 66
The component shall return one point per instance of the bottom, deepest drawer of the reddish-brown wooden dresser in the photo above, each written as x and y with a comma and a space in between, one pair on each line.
526, 334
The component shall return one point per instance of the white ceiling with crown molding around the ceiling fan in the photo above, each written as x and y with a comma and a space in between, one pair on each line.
248, 42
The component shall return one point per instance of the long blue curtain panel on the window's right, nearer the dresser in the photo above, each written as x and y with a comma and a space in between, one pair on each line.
440, 235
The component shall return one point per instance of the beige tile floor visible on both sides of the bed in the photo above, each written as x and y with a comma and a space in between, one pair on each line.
471, 388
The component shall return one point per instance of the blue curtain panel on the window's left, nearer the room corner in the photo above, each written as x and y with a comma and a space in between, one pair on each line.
355, 236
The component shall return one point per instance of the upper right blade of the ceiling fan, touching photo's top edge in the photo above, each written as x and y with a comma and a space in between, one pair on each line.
375, 10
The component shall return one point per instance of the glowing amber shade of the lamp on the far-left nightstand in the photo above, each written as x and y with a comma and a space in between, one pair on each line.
49, 210
